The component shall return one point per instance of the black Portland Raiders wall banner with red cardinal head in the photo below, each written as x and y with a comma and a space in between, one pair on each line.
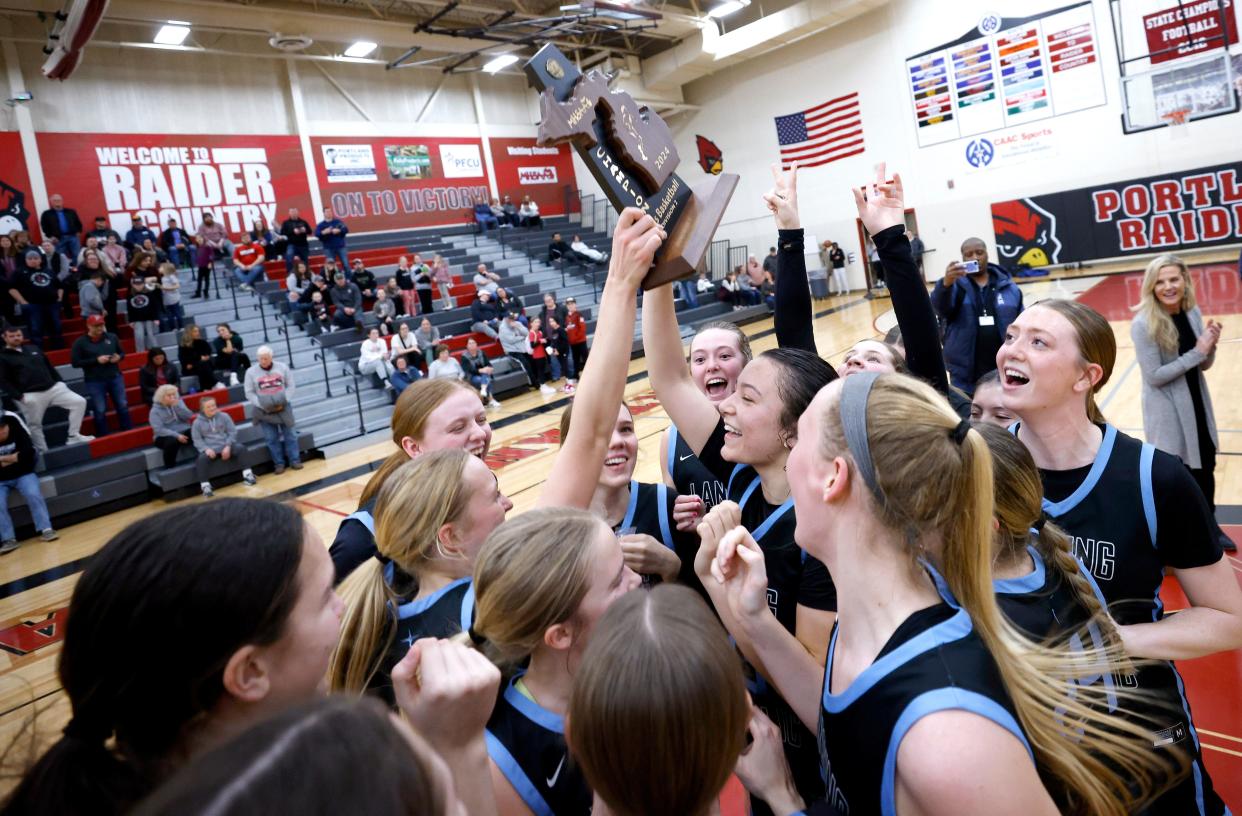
1158, 214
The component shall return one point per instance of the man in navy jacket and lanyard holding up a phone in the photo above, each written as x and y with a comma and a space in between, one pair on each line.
977, 302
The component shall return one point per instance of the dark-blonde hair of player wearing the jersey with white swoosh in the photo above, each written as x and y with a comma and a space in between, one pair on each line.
533, 573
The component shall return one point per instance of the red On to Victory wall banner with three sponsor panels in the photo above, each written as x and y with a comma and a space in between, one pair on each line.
397, 183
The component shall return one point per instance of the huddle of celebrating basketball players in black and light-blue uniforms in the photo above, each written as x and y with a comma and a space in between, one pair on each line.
848, 593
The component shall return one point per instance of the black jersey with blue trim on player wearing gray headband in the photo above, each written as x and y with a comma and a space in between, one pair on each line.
933, 663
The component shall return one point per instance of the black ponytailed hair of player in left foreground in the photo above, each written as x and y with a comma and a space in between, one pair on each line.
153, 622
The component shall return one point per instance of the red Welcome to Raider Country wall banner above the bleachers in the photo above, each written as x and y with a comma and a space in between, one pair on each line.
238, 178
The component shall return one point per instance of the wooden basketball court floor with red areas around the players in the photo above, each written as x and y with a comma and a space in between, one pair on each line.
38, 581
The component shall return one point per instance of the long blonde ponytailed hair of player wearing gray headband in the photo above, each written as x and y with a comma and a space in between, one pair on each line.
927, 483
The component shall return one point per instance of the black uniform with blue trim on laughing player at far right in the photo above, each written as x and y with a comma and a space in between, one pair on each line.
1132, 514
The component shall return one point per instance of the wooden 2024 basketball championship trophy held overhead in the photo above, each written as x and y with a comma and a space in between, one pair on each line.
632, 153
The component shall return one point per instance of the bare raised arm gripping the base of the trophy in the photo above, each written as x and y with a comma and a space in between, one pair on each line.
602, 388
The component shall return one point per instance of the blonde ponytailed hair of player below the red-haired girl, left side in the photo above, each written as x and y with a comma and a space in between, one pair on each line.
415, 502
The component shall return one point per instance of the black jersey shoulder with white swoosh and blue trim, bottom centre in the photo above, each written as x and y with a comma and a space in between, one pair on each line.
527, 743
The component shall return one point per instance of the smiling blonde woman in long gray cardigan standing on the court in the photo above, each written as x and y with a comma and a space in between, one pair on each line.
1174, 347
